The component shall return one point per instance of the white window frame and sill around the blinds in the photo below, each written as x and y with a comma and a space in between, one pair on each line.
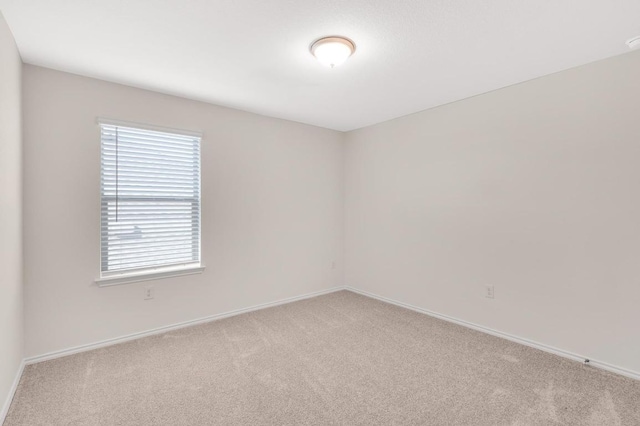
151, 273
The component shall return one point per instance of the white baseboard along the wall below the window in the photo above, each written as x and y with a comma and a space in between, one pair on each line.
171, 327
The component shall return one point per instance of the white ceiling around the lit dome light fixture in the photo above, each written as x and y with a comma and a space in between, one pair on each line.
253, 54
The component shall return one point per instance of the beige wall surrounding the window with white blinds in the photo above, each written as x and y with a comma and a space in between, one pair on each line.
272, 201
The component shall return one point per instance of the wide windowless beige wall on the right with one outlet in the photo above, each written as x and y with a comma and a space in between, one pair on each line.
534, 189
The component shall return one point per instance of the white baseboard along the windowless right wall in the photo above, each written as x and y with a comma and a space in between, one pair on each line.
546, 348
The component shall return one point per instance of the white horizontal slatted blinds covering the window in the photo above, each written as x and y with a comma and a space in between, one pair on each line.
150, 200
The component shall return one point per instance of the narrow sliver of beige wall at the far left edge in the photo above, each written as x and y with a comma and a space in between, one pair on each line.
11, 305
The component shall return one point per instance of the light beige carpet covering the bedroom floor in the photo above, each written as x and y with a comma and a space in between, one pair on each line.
340, 359
